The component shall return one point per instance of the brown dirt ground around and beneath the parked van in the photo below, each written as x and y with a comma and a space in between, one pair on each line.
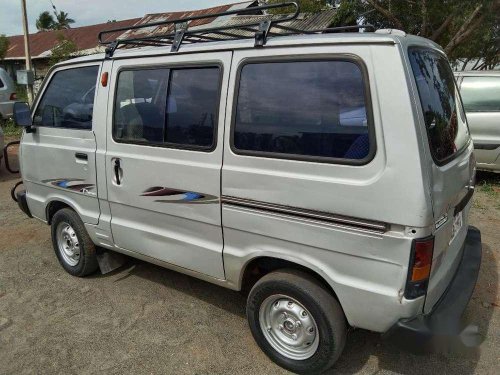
143, 319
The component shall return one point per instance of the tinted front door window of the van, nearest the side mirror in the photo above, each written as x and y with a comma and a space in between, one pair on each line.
68, 101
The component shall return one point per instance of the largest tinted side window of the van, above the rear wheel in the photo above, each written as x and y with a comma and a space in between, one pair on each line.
303, 108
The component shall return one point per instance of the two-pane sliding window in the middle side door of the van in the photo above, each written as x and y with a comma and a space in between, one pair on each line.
172, 107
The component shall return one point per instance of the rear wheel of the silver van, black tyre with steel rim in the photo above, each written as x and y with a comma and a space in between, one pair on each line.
328, 321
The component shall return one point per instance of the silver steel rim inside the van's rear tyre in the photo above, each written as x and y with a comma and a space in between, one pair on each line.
289, 327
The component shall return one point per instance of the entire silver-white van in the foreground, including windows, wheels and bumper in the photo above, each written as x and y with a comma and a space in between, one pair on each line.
329, 175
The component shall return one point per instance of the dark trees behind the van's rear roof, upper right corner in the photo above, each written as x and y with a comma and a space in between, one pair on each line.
465, 29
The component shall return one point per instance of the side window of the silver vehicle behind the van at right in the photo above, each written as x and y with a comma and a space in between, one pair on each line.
481, 94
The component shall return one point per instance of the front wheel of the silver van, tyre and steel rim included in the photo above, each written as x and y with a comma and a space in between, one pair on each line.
67, 224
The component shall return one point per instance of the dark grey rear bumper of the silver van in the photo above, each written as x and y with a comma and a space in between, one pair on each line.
444, 322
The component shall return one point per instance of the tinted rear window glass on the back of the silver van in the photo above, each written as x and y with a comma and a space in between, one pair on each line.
443, 112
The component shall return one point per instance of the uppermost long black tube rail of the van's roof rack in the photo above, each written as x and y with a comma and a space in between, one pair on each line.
206, 16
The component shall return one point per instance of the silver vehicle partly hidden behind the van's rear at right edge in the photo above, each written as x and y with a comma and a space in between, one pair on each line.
480, 92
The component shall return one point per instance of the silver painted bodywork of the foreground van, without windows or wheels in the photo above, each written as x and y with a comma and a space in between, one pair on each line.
352, 225
